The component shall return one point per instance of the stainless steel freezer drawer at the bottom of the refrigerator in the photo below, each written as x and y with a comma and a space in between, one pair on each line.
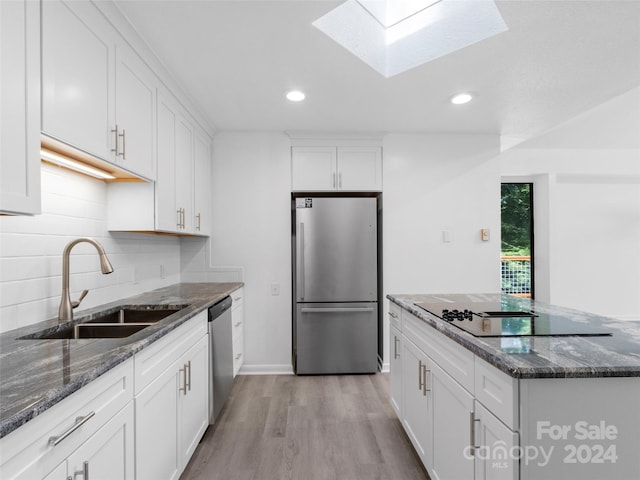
336, 338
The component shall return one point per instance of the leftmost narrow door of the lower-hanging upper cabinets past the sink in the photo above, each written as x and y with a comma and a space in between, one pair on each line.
167, 215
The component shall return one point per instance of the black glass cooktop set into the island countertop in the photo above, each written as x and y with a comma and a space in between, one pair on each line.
496, 320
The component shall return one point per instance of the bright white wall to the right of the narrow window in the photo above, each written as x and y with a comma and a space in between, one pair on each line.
586, 176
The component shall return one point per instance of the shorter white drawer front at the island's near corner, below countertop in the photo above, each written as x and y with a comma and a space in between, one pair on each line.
498, 392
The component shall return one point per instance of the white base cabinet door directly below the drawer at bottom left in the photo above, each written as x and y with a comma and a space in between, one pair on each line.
109, 453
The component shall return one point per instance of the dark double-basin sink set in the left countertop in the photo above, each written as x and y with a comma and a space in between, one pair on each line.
114, 323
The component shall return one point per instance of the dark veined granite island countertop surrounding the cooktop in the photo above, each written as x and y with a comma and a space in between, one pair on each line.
617, 355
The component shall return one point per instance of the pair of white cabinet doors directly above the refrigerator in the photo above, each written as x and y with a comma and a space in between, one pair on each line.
336, 168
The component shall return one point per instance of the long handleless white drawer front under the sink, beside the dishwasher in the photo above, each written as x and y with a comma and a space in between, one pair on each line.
157, 358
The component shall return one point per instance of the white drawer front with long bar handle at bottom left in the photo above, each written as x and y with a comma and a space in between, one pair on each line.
28, 451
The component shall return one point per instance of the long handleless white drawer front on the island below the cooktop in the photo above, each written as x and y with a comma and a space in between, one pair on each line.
457, 361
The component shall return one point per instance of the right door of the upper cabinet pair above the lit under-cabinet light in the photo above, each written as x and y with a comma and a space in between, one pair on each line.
135, 113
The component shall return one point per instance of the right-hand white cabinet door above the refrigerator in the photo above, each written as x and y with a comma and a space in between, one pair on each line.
359, 168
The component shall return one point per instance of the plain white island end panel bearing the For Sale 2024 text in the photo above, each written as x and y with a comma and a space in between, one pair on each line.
585, 428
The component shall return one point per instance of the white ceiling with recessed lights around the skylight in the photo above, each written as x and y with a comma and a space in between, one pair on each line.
237, 58
